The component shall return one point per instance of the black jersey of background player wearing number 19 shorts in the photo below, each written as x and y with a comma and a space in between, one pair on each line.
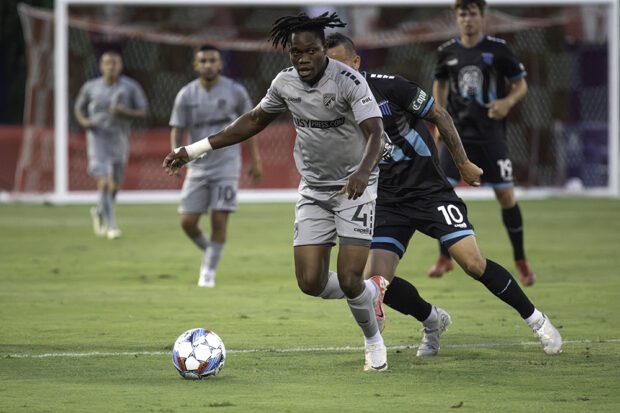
477, 76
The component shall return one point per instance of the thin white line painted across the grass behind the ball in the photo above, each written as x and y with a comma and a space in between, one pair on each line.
292, 350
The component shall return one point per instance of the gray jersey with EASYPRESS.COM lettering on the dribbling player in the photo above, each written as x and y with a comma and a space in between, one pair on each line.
330, 144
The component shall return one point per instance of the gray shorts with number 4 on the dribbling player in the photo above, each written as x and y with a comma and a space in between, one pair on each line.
318, 224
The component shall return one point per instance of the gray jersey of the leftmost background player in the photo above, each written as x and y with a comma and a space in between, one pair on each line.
108, 140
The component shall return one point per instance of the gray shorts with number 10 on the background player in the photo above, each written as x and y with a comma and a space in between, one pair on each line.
199, 194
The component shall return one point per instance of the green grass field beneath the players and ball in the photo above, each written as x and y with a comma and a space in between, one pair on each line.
86, 324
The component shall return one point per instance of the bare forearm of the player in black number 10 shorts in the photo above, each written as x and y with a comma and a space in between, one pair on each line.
442, 119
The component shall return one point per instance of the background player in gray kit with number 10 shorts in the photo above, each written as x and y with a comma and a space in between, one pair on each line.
205, 106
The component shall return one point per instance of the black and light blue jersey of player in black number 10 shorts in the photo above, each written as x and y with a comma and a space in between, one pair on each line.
410, 166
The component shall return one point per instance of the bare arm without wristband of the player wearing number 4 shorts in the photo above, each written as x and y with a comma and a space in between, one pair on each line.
358, 181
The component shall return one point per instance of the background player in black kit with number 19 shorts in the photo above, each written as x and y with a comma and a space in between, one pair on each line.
470, 80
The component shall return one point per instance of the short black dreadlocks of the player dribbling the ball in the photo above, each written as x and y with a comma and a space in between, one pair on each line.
284, 27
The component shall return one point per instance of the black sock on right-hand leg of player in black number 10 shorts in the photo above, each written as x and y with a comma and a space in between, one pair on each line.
499, 281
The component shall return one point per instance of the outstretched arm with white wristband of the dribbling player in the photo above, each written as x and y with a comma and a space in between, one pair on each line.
243, 128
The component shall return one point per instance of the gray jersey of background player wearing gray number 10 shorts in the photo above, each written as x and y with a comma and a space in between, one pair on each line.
204, 112
